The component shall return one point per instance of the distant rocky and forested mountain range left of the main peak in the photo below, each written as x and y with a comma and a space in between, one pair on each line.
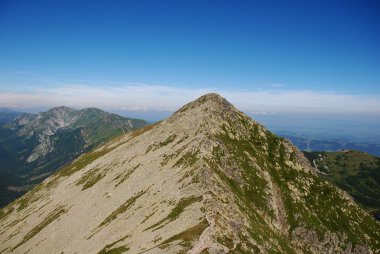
33, 146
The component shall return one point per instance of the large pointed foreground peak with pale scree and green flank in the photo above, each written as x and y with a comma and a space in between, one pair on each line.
208, 179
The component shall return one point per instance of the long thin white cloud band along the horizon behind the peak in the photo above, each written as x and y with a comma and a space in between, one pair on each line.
169, 98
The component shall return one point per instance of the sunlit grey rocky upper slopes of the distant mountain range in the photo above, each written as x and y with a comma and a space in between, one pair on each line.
46, 125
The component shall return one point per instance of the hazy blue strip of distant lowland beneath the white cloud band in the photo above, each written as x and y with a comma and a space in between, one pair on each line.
362, 128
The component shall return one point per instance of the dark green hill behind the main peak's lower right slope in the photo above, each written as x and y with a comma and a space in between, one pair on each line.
355, 172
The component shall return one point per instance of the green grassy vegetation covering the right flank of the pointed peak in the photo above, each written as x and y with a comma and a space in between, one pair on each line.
320, 207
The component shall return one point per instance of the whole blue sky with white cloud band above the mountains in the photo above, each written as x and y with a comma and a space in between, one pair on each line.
267, 57
